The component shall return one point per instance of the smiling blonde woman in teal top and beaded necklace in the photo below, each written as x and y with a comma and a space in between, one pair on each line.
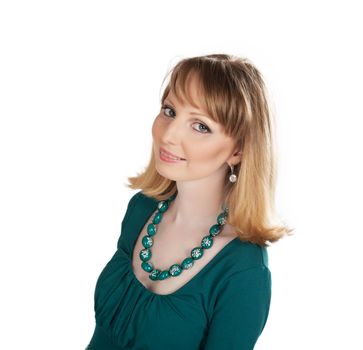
191, 266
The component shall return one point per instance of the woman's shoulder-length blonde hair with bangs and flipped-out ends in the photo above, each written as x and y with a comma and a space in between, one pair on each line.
235, 96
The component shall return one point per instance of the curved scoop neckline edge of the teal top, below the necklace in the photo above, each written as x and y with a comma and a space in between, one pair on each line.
184, 286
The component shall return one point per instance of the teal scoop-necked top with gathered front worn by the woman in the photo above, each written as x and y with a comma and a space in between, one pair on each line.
224, 306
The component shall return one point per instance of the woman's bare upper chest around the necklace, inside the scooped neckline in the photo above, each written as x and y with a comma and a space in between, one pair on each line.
172, 245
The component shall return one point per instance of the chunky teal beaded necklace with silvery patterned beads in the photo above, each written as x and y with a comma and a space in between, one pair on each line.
195, 254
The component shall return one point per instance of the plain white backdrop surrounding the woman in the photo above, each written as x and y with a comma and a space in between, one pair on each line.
80, 83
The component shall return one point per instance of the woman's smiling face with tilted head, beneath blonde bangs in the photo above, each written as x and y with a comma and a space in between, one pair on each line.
190, 134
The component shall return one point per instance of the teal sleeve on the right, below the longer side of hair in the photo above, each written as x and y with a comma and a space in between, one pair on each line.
241, 310
